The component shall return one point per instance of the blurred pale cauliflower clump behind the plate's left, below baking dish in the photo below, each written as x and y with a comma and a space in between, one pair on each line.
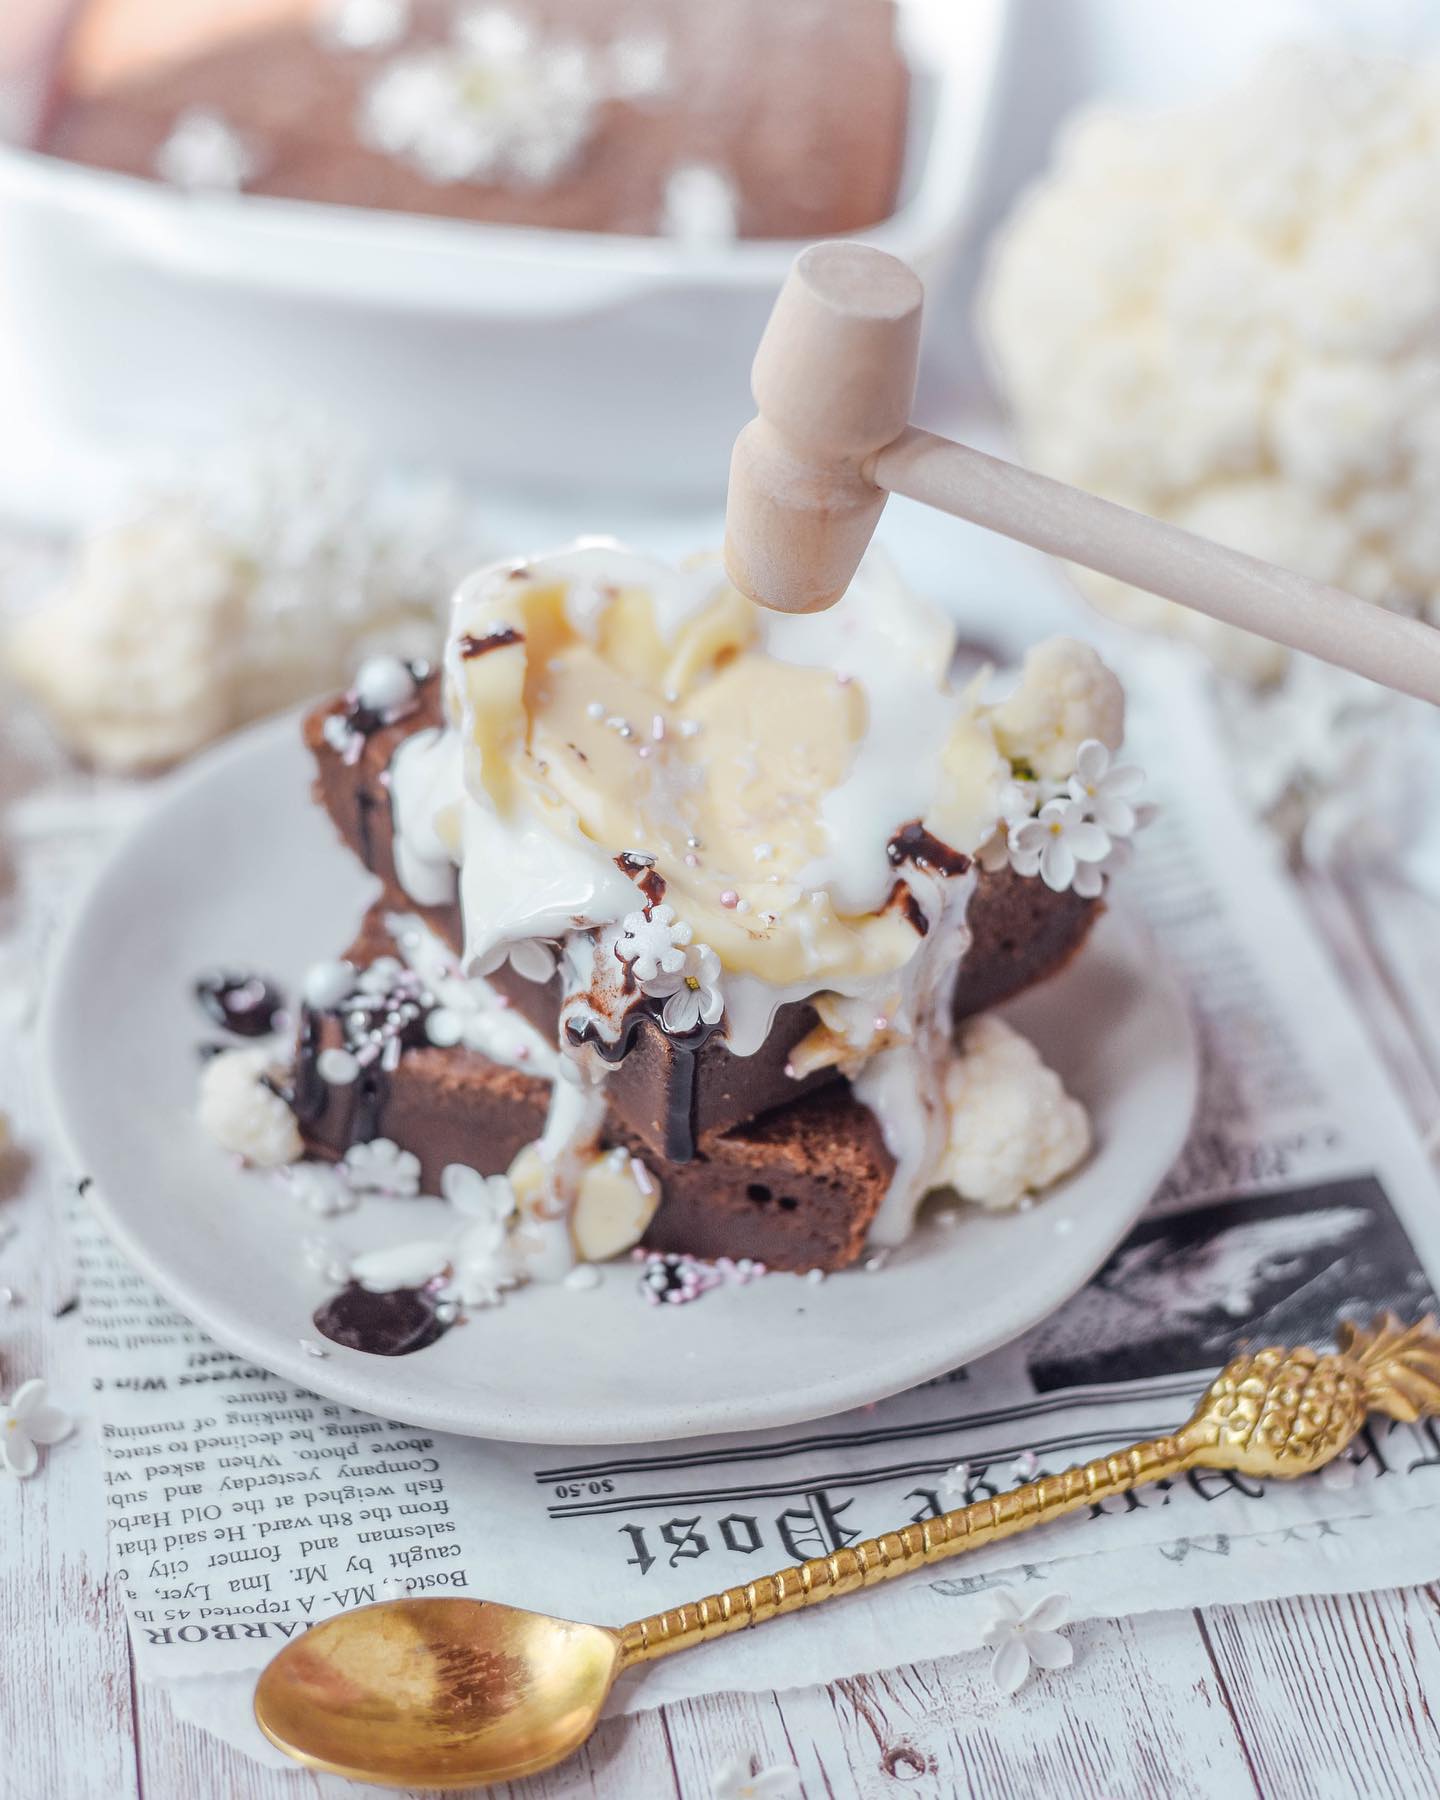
253, 579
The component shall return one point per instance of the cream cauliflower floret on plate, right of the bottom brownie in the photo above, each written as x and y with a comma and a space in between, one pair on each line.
1014, 1129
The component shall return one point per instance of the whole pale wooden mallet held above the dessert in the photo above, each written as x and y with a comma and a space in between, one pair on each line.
834, 381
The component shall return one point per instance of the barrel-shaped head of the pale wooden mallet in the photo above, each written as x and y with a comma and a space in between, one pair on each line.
834, 381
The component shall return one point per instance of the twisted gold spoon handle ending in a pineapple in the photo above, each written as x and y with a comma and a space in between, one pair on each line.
1272, 1414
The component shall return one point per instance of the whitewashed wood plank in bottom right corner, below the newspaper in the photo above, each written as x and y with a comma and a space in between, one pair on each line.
1335, 1695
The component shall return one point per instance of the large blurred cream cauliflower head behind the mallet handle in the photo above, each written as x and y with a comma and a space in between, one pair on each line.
1246, 339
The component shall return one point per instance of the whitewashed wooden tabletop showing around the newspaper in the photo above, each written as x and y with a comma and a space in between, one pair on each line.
1302, 1700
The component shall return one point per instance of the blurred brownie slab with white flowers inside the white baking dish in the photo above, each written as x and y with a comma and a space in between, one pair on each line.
800, 107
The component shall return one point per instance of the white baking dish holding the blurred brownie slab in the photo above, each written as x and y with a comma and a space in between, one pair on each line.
523, 357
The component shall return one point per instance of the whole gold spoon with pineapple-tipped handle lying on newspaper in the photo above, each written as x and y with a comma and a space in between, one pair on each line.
465, 1693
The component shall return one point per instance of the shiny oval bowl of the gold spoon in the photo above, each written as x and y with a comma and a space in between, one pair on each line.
438, 1693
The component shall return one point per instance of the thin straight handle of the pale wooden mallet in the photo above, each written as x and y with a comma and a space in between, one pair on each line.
1225, 584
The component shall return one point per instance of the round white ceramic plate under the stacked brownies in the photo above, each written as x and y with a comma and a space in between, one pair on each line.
237, 868
